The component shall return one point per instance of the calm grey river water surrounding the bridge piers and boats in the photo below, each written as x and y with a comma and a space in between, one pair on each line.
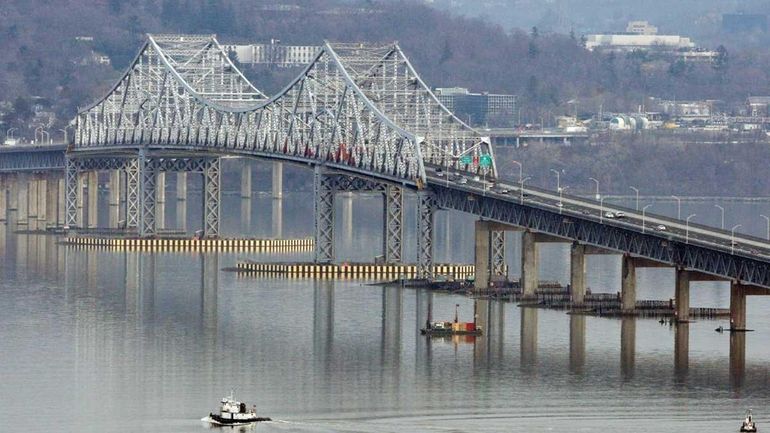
100, 341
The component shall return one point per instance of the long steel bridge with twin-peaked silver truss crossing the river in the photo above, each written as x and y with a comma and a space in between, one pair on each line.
362, 119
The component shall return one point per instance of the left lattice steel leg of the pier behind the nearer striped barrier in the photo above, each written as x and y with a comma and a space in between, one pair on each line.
323, 193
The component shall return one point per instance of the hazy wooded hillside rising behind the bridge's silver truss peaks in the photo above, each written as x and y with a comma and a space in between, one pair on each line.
550, 72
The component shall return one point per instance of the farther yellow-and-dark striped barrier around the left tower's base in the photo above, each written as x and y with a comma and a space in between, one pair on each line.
188, 244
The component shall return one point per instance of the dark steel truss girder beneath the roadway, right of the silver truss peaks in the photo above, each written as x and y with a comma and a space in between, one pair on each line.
745, 270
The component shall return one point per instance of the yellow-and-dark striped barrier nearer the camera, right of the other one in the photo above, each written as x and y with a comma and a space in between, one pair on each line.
366, 271
